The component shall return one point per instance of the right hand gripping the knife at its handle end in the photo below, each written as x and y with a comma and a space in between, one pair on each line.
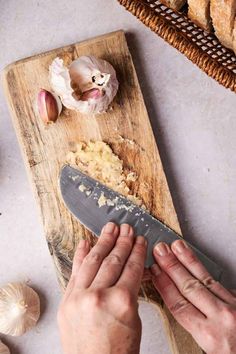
201, 305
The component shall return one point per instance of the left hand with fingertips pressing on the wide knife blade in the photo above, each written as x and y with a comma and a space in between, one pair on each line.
99, 311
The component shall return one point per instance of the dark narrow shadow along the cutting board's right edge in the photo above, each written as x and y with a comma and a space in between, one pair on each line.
228, 278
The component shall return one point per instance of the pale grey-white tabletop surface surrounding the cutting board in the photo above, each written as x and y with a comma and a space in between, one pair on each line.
195, 124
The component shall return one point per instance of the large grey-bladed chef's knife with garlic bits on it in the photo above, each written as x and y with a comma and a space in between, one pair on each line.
95, 204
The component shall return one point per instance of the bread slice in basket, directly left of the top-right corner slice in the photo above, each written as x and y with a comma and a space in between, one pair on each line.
199, 12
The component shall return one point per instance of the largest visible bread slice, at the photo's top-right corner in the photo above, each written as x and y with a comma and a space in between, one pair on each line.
223, 16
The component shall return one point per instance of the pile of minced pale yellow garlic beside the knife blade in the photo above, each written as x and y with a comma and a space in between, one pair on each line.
99, 161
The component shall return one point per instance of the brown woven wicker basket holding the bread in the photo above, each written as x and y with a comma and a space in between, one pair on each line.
177, 29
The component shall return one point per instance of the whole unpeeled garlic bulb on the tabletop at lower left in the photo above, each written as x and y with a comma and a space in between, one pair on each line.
19, 309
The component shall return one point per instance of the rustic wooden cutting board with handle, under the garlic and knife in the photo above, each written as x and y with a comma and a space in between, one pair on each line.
44, 150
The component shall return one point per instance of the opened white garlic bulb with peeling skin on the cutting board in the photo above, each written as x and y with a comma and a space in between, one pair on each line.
88, 85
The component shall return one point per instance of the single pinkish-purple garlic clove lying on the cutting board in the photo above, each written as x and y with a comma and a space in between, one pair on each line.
49, 106
